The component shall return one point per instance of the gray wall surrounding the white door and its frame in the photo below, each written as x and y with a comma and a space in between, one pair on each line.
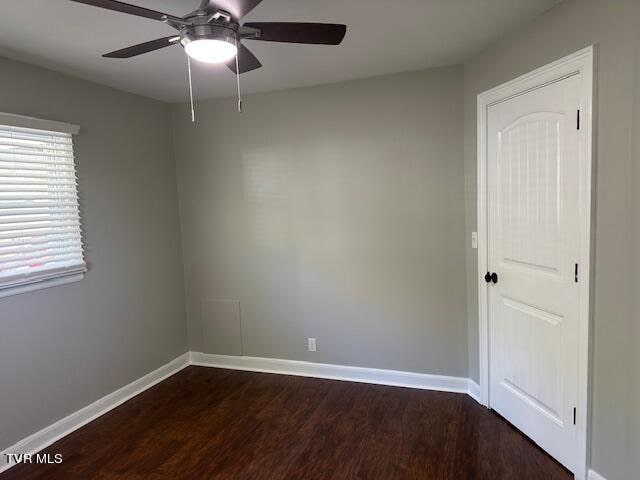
569, 27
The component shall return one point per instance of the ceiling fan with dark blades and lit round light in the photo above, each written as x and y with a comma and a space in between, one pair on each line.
213, 32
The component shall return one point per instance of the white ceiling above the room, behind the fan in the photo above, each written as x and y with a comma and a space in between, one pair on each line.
383, 37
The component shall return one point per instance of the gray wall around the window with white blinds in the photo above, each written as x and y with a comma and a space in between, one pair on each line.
64, 347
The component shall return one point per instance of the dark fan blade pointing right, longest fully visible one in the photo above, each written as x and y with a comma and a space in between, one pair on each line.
313, 33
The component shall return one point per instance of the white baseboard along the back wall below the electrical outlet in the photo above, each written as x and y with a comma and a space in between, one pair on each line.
338, 372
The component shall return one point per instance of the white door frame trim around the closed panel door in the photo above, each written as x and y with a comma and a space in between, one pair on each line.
580, 63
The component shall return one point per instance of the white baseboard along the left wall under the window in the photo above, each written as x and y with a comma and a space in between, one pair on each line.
45, 437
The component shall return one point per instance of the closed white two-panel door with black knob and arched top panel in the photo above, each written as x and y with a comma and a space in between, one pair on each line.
533, 225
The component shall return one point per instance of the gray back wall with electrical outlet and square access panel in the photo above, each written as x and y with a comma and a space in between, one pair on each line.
333, 212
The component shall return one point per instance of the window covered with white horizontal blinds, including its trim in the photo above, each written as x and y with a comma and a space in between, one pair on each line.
40, 234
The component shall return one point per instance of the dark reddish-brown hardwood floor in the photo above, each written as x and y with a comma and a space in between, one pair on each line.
206, 423
